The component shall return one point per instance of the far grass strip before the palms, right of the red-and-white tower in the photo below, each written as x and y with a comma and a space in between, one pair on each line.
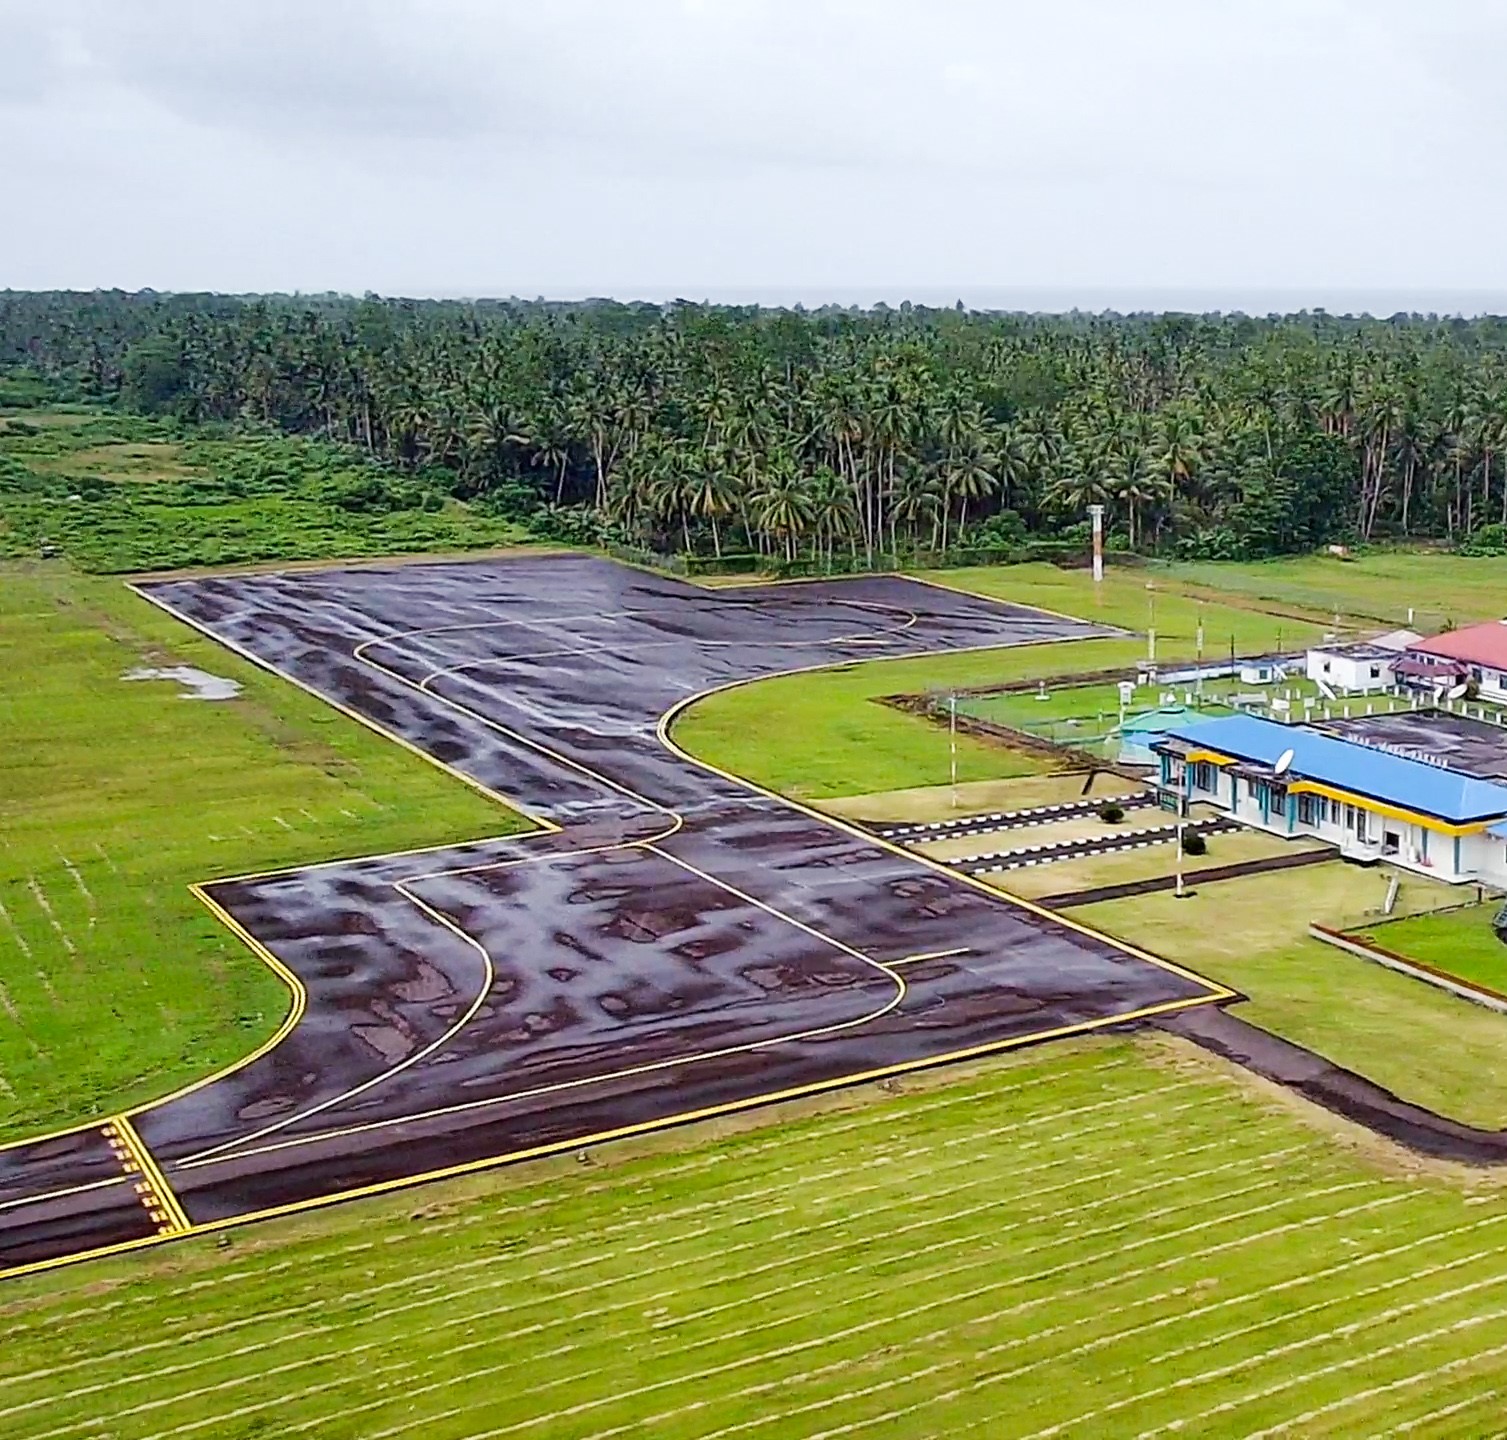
1380, 587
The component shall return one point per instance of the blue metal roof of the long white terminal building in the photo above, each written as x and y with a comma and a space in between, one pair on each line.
1362, 770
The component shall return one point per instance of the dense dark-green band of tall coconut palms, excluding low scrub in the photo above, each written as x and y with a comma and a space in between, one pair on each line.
837, 436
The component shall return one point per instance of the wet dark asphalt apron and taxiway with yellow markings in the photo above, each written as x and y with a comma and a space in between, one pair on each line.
682, 944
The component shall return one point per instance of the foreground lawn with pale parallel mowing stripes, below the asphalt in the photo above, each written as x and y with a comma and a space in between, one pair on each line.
1101, 1237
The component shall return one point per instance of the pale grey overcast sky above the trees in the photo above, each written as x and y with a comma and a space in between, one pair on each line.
1080, 150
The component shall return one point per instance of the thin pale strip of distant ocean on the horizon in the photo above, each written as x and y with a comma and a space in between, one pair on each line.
1054, 301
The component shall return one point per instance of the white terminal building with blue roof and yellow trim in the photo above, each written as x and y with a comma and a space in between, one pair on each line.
1372, 804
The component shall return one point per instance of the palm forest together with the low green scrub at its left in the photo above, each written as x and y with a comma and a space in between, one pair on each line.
714, 438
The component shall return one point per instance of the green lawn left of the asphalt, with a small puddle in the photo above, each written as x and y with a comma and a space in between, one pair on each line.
115, 983
